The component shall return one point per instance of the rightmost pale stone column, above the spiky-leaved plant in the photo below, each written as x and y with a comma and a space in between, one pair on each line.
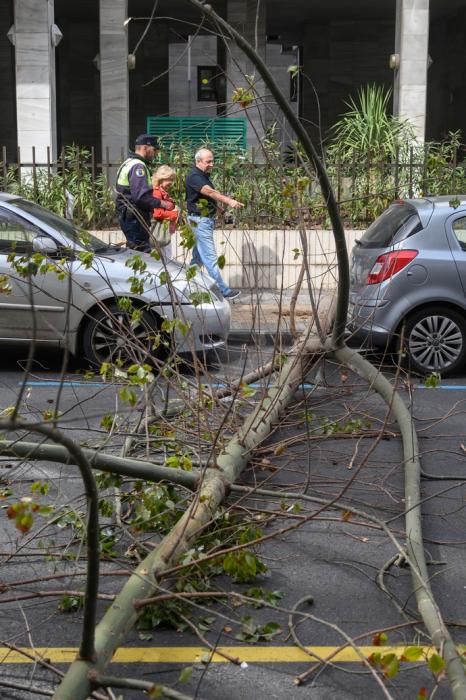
411, 61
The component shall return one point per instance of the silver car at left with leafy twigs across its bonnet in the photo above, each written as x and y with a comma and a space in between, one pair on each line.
61, 286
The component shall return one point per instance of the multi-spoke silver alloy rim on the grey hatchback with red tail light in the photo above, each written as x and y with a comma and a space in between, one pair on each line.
435, 342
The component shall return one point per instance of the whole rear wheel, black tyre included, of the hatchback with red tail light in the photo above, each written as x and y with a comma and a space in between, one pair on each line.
435, 340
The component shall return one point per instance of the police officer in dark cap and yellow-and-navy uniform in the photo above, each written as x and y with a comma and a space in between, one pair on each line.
135, 201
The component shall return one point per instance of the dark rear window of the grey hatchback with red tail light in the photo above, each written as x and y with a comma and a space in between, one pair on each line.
396, 223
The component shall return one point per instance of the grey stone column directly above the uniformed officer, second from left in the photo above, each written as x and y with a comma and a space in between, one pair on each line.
114, 79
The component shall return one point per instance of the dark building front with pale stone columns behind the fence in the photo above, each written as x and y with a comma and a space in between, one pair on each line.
91, 72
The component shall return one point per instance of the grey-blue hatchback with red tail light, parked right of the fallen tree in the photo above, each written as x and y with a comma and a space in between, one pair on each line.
408, 280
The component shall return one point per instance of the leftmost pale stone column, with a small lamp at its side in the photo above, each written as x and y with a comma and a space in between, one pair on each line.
34, 36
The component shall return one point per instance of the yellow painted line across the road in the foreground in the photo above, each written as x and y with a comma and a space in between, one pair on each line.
175, 655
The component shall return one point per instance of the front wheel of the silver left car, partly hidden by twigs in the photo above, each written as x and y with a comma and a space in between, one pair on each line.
111, 336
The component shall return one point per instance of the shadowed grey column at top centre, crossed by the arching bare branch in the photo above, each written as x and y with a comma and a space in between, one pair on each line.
242, 15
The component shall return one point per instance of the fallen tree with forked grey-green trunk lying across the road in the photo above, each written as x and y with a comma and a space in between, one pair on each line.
213, 482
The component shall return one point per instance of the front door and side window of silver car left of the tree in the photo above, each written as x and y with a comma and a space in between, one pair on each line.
29, 307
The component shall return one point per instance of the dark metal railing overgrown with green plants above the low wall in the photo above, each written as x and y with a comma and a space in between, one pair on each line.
363, 186
